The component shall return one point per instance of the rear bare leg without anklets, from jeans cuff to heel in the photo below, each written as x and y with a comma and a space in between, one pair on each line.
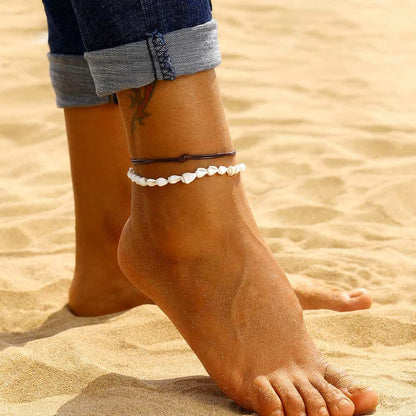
98, 150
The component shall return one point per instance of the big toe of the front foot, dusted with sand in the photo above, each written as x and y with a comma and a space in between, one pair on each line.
365, 399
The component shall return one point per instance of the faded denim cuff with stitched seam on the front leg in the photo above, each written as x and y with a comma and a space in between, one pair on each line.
162, 57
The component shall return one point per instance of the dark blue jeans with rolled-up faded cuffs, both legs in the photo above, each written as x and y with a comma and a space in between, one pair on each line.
100, 47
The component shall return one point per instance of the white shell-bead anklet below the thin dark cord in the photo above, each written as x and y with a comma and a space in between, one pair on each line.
187, 177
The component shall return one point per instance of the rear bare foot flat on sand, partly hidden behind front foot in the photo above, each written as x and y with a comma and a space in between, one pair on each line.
101, 288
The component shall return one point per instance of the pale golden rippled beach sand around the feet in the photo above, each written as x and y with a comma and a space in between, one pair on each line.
321, 100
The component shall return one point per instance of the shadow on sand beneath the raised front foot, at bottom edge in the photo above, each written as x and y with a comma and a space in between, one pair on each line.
120, 395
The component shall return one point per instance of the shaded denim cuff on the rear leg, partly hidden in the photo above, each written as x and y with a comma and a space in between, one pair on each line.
72, 81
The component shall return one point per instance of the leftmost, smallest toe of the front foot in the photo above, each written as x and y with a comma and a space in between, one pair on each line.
267, 402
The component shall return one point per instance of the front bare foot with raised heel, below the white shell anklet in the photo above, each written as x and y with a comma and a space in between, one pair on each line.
205, 264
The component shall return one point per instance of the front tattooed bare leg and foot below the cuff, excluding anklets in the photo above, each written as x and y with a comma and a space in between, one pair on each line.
196, 251
